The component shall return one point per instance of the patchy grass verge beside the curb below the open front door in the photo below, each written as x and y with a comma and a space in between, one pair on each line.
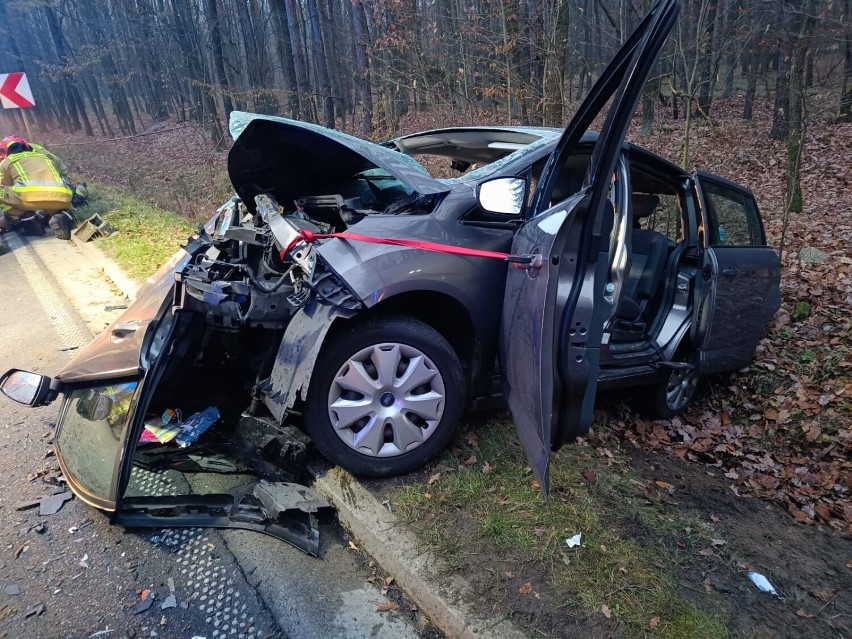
483, 502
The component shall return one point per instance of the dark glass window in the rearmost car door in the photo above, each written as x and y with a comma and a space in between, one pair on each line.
733, 217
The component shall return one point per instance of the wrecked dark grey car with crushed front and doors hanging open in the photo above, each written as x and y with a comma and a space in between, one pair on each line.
348, 294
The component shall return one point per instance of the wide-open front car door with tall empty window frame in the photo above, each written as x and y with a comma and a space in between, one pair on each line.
555, 308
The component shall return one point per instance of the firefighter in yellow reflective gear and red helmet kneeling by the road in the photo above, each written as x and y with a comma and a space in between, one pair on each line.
29, 181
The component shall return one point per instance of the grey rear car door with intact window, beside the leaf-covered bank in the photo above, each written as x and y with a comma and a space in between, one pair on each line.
740, 276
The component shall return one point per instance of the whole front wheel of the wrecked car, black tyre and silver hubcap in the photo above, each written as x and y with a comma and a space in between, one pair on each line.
385, 396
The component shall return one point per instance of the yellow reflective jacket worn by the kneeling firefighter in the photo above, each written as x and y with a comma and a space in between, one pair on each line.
35, 180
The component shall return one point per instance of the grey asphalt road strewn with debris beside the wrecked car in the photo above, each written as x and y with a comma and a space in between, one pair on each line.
73, 574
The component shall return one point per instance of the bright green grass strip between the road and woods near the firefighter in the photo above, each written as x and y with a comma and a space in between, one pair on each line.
146, 235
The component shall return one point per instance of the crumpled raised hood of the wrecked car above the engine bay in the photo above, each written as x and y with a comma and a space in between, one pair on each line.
289, 159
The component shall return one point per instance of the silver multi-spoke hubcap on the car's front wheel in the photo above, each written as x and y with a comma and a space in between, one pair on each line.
386, 400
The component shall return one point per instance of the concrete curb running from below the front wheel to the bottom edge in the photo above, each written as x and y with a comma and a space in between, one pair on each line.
395, 547
